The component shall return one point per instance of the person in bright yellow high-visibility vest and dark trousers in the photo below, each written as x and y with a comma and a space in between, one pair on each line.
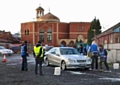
38, 53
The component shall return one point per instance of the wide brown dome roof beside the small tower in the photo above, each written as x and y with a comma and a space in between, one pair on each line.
49, 17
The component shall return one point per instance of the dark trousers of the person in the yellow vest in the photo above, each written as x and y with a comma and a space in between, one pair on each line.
38, 61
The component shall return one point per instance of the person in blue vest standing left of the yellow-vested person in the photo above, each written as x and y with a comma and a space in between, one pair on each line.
24, 55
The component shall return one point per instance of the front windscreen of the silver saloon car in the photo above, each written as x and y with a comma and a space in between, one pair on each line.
68, 51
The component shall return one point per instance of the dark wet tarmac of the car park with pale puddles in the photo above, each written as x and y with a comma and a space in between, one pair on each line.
10, 74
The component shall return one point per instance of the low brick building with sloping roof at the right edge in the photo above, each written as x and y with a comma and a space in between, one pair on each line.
110, 36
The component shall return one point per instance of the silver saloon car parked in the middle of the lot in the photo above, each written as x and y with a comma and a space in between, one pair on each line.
67, 57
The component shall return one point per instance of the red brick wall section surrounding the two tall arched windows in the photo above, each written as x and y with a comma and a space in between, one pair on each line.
46, 26
